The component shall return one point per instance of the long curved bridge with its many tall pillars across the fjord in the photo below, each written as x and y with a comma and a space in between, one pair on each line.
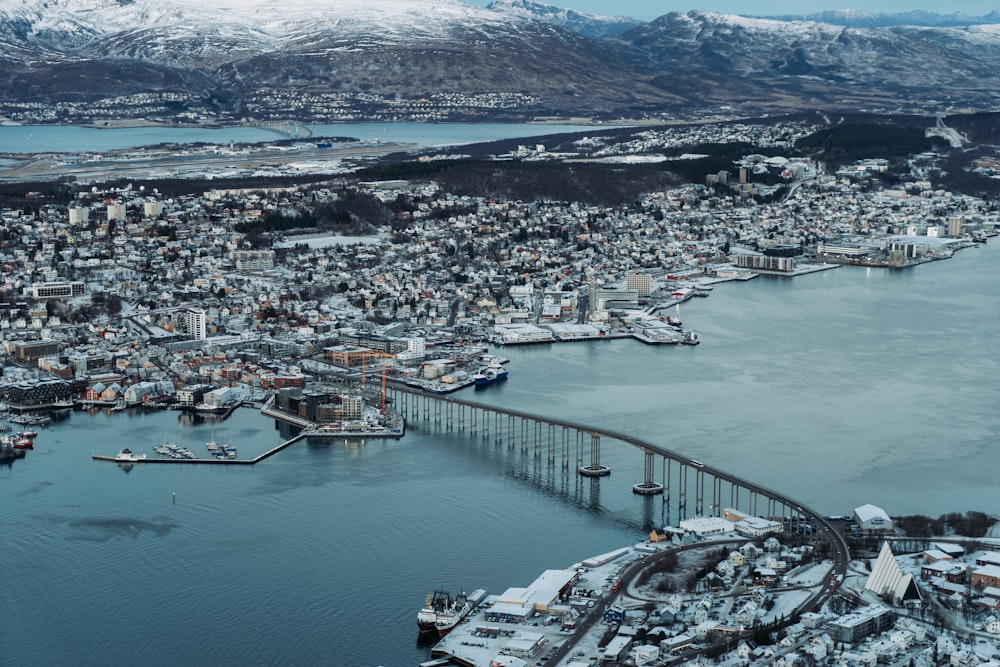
694, 487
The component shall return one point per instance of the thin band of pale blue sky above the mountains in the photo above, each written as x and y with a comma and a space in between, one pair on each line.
650, 9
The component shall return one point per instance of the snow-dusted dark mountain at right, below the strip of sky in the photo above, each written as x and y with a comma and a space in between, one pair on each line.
939, 61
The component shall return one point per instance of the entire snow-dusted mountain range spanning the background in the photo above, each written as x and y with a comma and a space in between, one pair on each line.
233, 55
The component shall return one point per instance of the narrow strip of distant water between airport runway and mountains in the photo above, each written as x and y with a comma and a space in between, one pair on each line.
55, 138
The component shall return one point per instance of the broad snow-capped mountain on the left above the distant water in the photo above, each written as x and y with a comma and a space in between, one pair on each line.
229, 50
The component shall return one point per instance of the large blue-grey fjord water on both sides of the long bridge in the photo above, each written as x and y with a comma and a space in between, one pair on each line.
840, 388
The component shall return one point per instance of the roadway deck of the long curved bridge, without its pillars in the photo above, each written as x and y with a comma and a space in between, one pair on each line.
840, 551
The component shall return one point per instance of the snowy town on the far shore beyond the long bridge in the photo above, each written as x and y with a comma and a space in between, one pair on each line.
130, 295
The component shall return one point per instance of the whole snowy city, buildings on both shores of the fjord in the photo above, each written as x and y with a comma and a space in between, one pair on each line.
305, 300
